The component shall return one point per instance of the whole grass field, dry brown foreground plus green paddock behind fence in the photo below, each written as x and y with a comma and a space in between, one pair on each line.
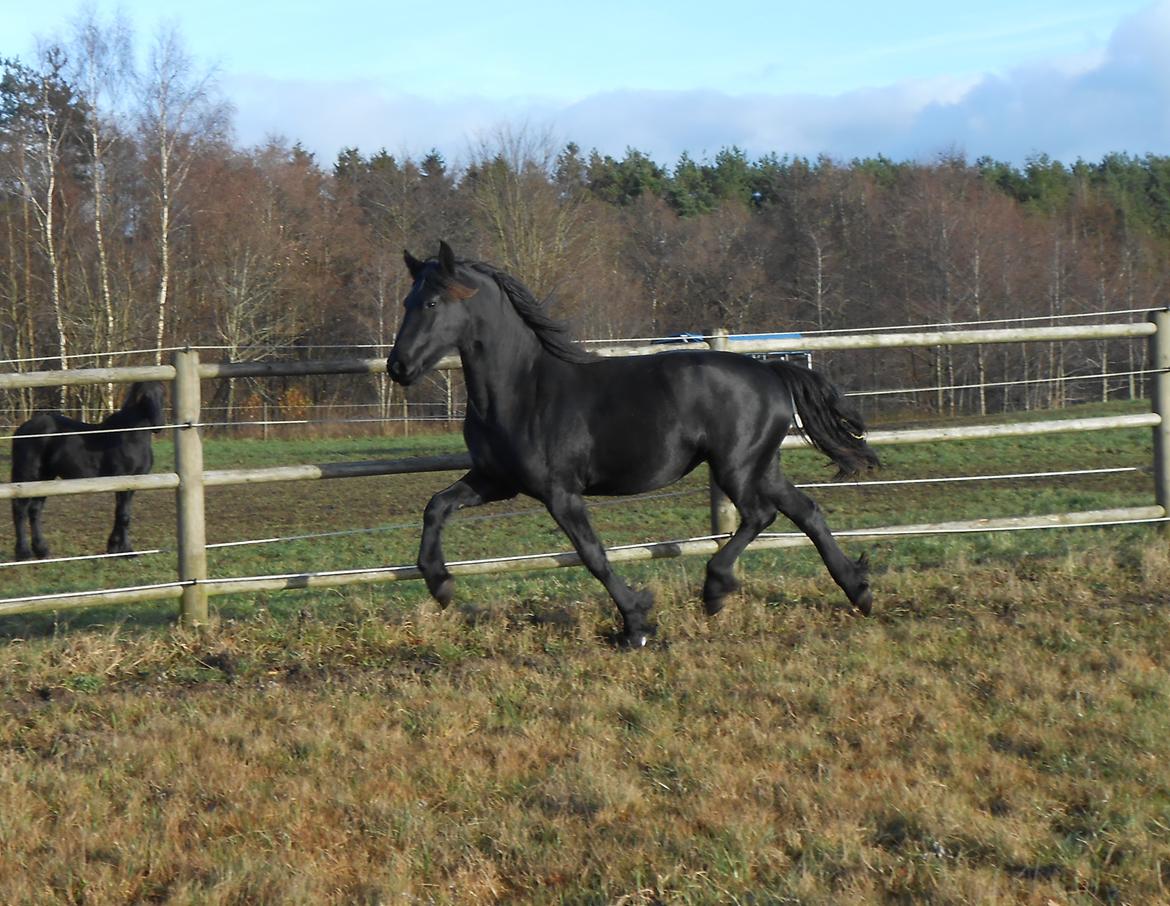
997, 732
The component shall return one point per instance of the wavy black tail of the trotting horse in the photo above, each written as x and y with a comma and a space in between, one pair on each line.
827, 421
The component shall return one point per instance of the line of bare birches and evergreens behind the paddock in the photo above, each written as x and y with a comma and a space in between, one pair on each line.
132, 223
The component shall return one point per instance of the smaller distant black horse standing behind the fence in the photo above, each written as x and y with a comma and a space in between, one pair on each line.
51, 447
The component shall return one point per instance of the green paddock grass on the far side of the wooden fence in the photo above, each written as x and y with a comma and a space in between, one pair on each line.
394, 506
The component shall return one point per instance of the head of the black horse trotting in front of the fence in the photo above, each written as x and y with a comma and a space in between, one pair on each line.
436, 317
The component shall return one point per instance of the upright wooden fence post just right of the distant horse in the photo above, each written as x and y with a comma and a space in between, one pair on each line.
189, 464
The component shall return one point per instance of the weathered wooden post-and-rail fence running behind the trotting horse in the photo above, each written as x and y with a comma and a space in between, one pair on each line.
194, 585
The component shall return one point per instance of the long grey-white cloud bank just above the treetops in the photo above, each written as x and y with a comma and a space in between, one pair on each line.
1117, 101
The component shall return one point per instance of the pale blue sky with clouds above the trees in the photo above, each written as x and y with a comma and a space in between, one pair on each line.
1072, 79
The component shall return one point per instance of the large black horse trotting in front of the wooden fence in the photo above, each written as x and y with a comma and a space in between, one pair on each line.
550, 421
